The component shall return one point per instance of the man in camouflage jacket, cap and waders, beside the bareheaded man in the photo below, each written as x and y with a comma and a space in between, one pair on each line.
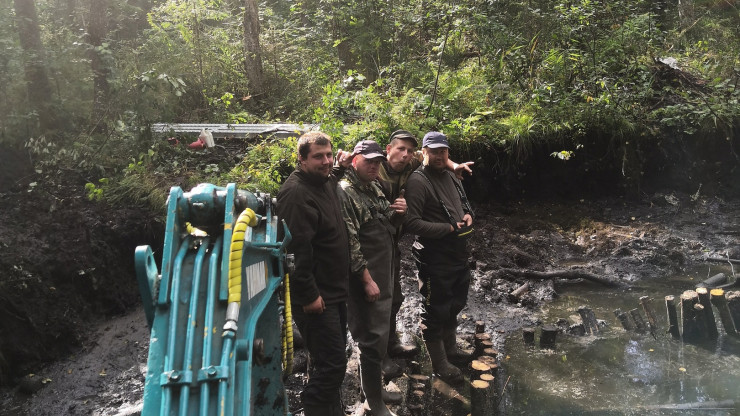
371, 222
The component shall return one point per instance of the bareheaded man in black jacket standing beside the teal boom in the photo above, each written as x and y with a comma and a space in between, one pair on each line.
310, 206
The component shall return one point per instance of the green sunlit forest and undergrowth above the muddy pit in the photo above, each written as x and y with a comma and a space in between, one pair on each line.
598, 94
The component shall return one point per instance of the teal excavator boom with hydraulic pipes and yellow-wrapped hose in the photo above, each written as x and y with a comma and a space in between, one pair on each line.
215, 310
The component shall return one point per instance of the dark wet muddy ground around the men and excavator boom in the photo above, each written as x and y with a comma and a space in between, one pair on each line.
73, 338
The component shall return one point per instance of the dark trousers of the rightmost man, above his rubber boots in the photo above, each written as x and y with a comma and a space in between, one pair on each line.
445, 293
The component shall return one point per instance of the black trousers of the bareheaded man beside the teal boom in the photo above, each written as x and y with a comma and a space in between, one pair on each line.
325, 337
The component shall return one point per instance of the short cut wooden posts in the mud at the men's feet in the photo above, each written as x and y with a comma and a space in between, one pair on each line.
483, 373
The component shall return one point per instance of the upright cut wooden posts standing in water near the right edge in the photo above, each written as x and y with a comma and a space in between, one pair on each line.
697, 320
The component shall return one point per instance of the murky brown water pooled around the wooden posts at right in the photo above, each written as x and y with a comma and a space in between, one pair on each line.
620, 372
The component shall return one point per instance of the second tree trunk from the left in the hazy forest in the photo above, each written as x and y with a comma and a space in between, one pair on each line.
97, 30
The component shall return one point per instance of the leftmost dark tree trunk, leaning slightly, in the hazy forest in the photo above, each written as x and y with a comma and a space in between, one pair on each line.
37, 79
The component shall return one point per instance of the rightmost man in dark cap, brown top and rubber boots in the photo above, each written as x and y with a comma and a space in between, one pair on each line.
441, 218
